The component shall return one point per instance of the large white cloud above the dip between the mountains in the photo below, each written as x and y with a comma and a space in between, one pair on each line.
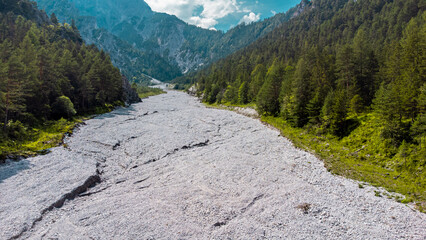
184, 9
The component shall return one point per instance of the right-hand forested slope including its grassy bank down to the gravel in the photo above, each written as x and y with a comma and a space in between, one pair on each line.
351, 73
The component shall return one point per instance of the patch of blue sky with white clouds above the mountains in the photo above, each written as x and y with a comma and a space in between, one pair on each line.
221, 14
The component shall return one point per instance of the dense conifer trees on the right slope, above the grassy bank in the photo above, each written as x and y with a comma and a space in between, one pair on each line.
335, 61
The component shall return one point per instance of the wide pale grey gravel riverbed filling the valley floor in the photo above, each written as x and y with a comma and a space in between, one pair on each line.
169, 168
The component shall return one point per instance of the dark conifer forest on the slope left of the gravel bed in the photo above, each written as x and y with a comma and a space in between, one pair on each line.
47, 73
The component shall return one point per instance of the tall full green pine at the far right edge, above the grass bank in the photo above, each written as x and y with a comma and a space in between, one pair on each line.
398, 100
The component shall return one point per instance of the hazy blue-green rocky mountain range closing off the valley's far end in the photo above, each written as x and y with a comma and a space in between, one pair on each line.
141, 41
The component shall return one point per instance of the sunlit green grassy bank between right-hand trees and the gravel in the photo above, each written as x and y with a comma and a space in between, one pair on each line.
363, 155
